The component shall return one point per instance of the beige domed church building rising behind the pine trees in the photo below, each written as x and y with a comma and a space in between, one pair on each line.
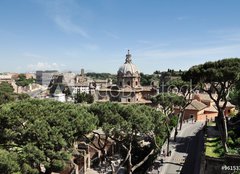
128, 88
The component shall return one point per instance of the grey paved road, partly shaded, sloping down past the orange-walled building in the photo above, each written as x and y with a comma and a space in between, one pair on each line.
180, 150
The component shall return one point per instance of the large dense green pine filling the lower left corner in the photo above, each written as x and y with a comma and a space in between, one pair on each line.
43, 132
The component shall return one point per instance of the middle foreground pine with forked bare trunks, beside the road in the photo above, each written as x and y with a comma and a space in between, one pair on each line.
128, 126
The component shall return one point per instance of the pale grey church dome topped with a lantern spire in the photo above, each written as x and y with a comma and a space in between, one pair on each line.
128, 68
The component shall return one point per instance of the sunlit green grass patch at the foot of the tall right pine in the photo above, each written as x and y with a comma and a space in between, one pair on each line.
214, 147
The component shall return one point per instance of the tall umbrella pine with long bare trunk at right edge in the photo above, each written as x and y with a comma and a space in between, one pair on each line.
218, 77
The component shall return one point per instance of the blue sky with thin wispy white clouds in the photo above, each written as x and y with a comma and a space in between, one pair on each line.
68, 35
